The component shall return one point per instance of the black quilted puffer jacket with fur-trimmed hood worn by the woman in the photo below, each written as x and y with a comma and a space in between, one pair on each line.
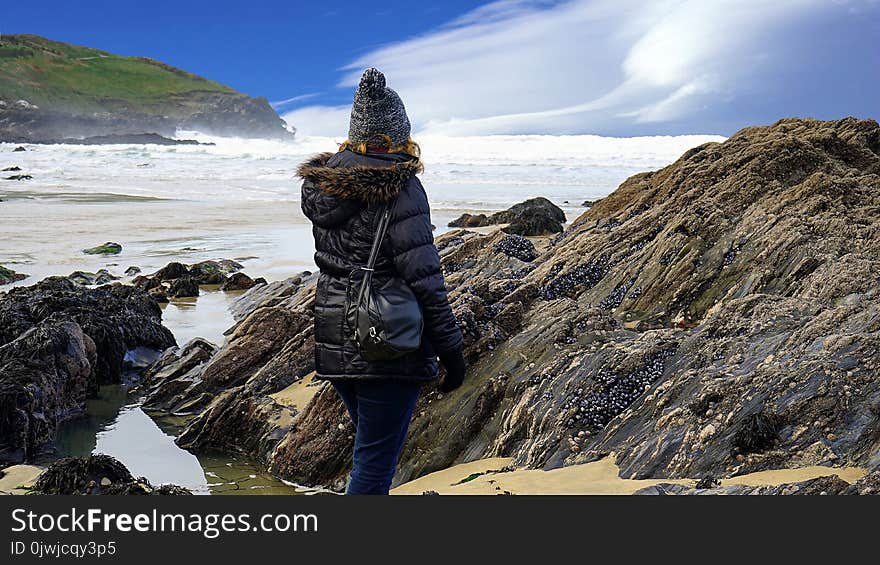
341, 195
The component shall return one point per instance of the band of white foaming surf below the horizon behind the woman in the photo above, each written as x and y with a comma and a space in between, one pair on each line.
559, 167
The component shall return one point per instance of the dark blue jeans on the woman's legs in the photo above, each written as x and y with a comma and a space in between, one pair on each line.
381, 411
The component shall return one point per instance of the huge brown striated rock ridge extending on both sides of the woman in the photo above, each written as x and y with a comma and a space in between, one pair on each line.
717, 317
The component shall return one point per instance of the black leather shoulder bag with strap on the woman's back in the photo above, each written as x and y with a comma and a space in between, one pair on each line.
386, 317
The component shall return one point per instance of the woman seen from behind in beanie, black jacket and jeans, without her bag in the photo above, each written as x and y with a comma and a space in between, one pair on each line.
342, 194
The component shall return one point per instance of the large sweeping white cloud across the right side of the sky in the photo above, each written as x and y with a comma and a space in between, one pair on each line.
600, 66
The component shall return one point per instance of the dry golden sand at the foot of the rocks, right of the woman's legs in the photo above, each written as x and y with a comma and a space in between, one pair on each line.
597, 478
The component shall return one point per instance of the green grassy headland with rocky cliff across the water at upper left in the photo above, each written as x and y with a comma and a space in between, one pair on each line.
132, 94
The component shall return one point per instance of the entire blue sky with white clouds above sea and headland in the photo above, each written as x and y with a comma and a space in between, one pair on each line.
611, 67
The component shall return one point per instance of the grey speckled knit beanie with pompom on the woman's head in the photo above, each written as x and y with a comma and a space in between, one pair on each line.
377, 110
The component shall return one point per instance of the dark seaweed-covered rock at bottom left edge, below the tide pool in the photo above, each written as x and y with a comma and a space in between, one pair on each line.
97, 474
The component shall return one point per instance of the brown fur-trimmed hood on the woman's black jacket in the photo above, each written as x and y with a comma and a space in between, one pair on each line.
372, 184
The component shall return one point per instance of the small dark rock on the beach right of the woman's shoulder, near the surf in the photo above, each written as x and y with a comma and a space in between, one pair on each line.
537, 216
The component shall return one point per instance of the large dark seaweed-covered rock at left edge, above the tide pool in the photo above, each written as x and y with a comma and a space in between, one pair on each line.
58, 343
